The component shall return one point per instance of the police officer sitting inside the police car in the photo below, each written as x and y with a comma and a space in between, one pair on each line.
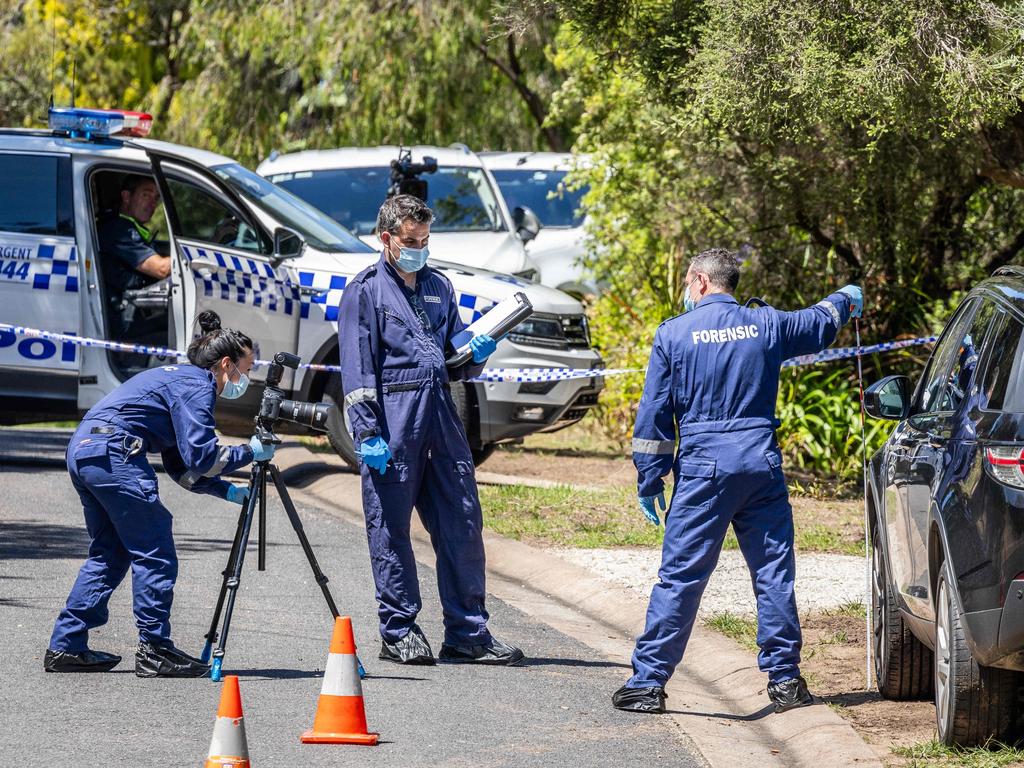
132, 261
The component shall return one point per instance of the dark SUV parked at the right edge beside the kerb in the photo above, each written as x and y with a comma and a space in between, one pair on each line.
947, 506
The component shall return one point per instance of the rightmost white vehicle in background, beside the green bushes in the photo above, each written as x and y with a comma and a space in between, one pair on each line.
536, 181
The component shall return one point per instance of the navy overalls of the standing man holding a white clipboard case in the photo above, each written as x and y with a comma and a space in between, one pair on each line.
394, 344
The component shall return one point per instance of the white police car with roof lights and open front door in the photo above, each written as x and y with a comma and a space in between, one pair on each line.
265, 261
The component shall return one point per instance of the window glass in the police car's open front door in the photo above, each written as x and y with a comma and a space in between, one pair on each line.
204, 218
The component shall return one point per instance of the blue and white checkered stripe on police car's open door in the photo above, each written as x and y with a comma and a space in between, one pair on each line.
244, 281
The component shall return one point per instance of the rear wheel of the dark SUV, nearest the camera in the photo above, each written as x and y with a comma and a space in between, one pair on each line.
973, 704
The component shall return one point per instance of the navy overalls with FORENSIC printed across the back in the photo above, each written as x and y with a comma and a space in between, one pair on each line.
714, 377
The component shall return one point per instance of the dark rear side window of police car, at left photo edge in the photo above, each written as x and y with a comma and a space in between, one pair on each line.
35, 196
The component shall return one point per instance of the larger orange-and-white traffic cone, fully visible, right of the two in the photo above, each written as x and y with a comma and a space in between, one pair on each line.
340, 716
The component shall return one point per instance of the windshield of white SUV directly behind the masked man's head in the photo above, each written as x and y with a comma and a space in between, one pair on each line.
461, 197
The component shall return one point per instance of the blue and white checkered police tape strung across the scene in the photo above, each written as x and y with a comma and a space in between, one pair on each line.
520, 375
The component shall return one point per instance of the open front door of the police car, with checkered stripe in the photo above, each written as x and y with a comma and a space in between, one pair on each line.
230, 258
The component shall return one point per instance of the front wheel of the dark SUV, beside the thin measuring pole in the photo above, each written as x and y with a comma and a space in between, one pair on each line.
903, 663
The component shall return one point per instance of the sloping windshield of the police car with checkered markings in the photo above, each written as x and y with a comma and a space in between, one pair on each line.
319, 231
